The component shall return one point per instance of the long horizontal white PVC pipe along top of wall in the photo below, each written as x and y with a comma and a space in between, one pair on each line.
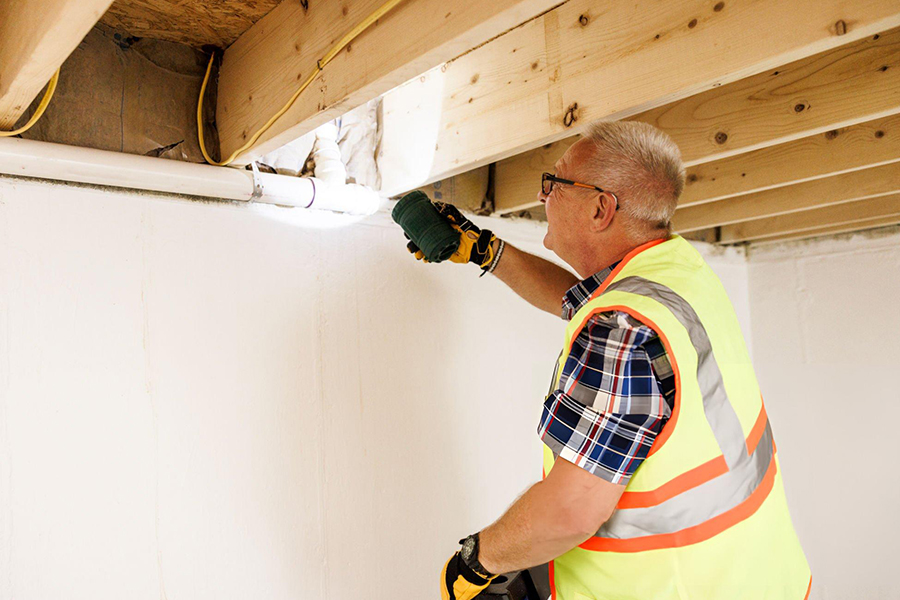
44, 160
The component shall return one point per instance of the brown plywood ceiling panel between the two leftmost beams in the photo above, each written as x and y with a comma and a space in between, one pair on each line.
194, 22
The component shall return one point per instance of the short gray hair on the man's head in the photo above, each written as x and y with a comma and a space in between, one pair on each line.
642, 166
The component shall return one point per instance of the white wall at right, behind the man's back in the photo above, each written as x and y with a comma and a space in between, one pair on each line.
826, 331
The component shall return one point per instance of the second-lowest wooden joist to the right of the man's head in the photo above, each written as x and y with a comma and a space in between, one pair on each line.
857, 185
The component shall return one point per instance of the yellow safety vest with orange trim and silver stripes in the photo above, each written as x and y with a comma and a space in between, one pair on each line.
705, 516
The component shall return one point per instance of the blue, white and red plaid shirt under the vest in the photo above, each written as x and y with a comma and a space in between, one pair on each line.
615, 392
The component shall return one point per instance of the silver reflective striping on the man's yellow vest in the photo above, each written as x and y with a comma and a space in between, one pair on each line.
745, 472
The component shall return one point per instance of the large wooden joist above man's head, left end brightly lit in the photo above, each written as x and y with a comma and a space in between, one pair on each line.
582, 61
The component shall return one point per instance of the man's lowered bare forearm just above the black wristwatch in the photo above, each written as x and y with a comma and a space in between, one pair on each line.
533, 531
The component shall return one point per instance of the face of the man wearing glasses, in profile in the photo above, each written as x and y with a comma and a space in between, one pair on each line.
568, 208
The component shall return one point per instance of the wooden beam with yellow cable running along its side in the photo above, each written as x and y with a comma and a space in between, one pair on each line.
266, 65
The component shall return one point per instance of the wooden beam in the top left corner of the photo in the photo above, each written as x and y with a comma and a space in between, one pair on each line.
36, 37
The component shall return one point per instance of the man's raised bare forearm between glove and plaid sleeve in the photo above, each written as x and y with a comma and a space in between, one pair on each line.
538, 281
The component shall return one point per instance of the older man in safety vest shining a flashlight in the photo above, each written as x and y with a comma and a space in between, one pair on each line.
661, 479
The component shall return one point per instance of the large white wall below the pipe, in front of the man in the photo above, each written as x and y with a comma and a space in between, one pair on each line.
221, 401
